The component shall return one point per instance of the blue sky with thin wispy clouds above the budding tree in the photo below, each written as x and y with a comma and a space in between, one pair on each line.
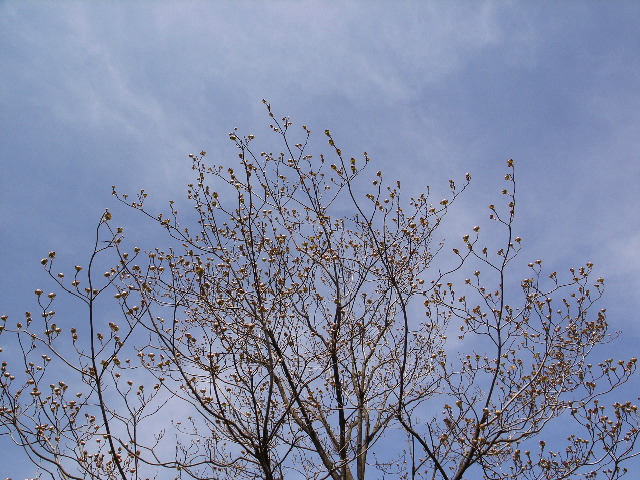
95, 94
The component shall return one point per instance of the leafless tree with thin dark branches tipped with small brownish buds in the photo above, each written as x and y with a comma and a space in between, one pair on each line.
295, 328
